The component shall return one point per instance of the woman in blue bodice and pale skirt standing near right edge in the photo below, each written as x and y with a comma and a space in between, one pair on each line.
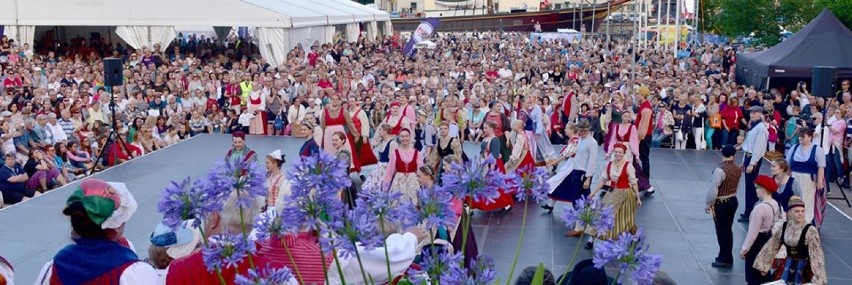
807, 163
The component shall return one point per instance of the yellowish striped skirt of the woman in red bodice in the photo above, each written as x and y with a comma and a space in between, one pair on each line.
623, 204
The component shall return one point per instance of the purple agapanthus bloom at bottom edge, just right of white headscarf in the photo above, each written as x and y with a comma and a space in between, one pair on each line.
443, 267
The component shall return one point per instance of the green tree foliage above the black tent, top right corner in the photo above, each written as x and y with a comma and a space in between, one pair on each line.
765, 19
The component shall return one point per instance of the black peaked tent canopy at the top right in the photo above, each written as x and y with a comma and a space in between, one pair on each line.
825, 41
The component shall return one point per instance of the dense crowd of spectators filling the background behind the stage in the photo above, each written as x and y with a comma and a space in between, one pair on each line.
56, 113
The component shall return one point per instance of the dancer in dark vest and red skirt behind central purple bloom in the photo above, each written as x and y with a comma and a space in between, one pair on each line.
491, 147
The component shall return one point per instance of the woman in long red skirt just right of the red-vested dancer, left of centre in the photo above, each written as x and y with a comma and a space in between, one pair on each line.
359, 135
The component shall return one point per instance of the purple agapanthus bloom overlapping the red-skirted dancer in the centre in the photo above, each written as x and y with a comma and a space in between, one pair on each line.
478, 179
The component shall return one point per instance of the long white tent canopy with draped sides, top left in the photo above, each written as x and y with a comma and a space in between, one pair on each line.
280, 24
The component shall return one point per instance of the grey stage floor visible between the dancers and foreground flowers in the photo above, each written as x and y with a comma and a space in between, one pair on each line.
674, 220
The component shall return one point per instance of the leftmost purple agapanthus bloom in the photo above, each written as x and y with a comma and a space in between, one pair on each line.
188, 199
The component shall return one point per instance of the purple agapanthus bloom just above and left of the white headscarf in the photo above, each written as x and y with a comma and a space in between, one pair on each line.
358, 227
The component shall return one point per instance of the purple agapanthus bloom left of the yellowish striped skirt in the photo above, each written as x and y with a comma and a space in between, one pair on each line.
589, 214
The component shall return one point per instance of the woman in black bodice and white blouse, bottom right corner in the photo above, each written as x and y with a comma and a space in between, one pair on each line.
804, 260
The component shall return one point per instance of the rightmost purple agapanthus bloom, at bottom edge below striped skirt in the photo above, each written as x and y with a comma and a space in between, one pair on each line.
629, 253
